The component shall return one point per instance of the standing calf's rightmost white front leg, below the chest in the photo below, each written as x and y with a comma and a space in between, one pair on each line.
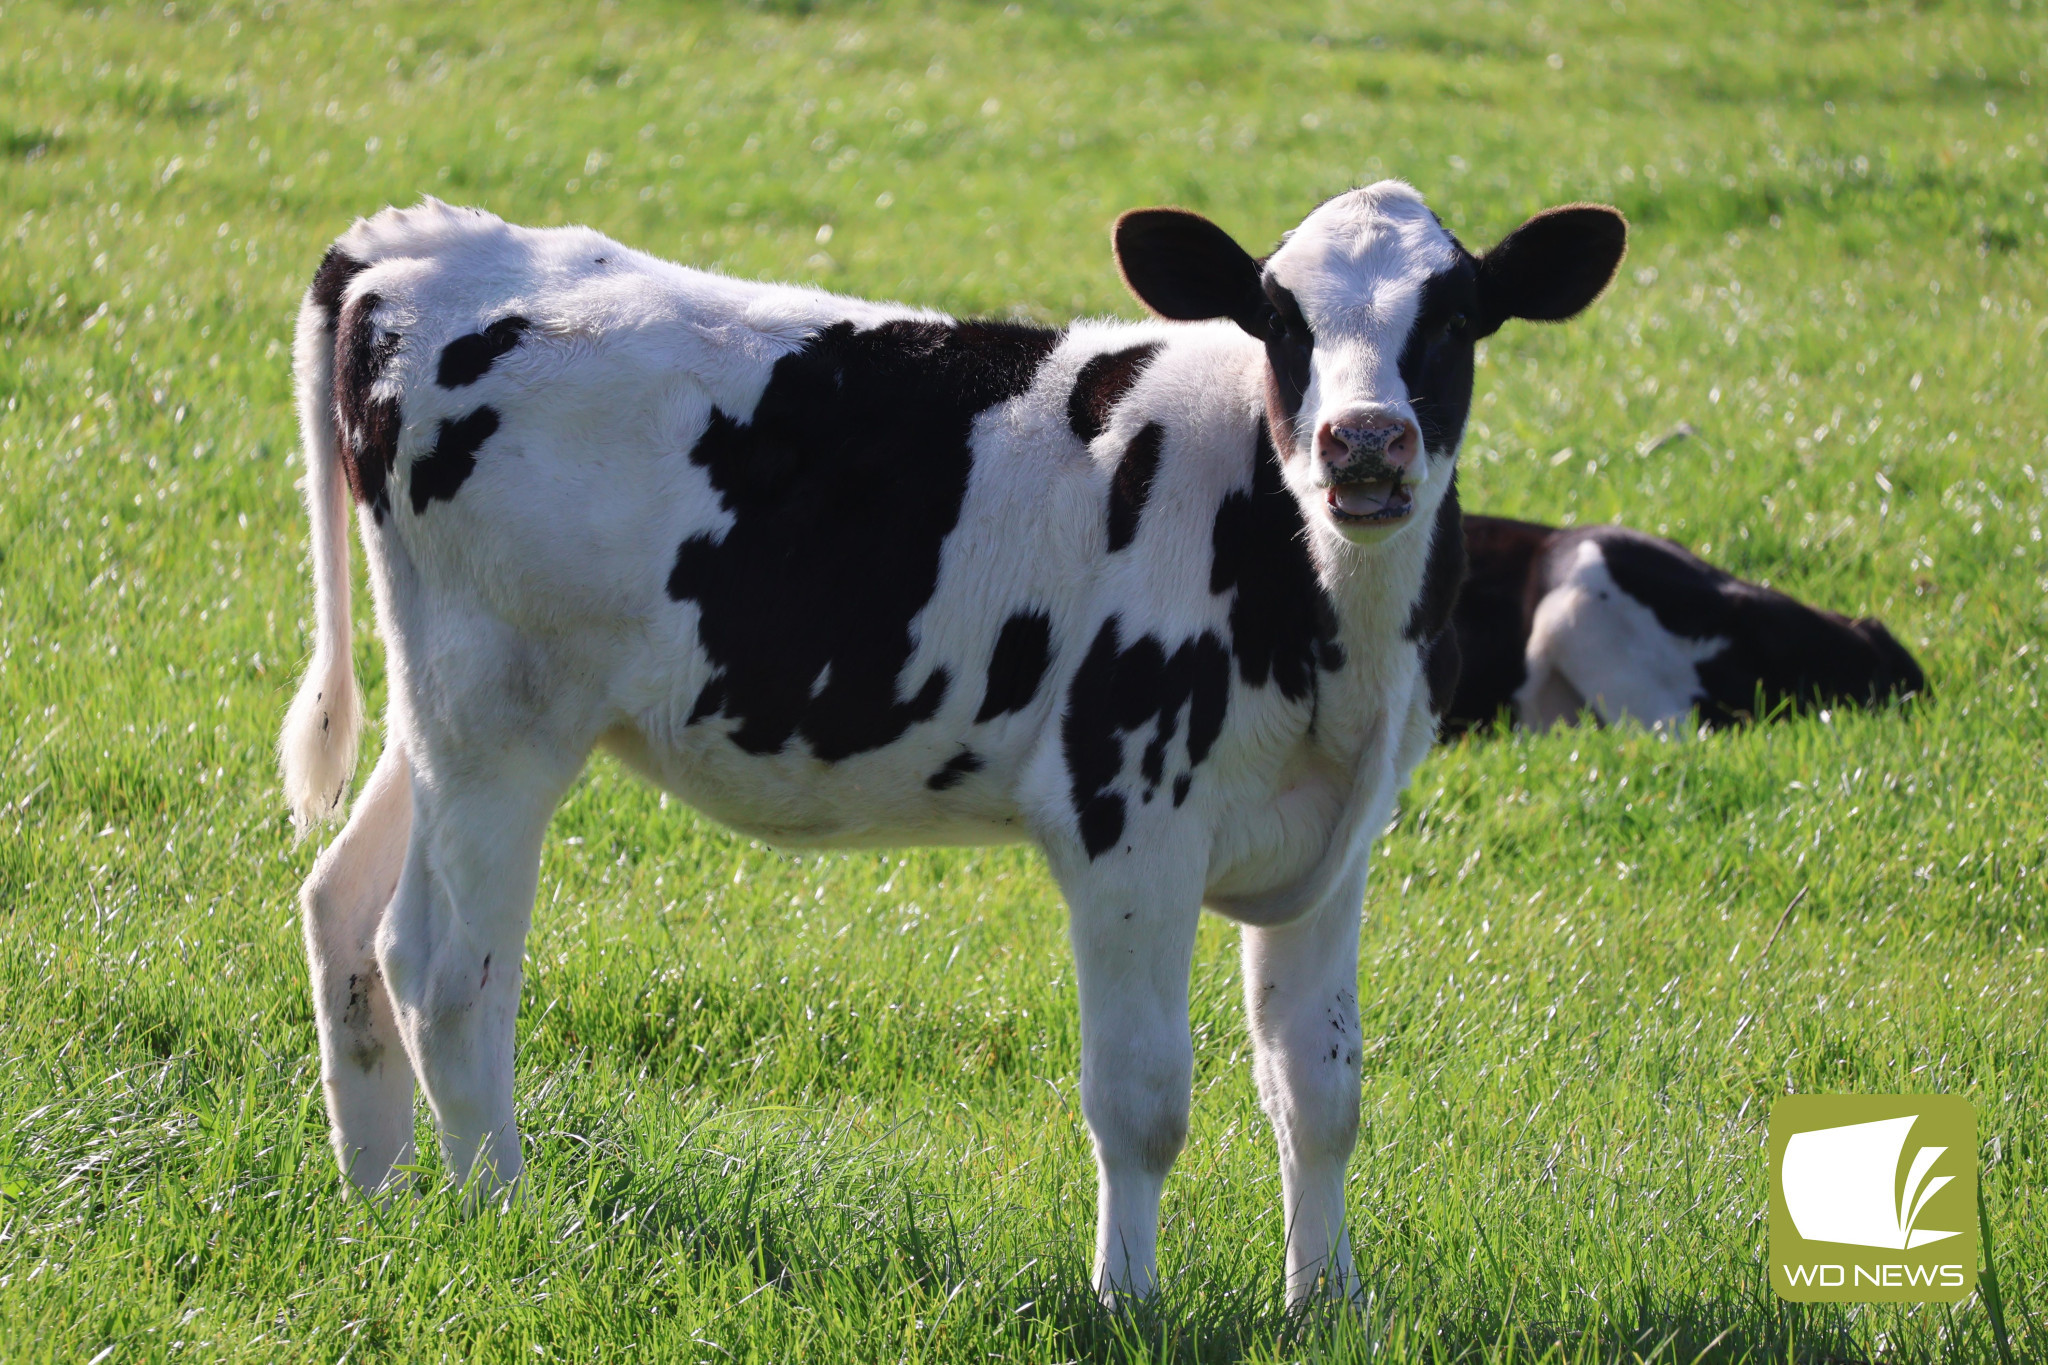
1302, 1000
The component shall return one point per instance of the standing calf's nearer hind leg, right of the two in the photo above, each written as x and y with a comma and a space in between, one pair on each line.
454, 940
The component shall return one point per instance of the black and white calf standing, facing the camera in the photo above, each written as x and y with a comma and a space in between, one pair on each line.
1166, 599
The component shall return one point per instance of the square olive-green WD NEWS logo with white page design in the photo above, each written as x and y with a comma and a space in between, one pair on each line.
1873, 1198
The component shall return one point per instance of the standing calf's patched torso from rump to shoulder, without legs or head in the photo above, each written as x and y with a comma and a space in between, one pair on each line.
820, 566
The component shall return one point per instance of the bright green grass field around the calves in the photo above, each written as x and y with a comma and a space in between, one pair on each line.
824, 1108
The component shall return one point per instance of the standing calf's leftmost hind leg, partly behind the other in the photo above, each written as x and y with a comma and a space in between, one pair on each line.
361, 1059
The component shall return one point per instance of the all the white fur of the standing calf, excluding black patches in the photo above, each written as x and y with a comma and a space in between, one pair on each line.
527, 623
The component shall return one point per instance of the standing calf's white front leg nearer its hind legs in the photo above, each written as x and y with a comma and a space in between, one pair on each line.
1134, 942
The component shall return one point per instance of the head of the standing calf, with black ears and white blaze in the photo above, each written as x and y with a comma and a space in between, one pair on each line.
1369, 314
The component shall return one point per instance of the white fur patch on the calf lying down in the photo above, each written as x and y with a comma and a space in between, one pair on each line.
1594, 648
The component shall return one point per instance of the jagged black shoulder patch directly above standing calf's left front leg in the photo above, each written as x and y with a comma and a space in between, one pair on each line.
1121, 693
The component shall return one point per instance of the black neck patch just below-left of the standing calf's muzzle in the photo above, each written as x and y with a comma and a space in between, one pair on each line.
1283, 625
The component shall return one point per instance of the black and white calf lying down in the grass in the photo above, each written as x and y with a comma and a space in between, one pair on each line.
1611, 623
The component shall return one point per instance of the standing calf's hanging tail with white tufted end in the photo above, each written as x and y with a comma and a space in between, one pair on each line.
318, 744
